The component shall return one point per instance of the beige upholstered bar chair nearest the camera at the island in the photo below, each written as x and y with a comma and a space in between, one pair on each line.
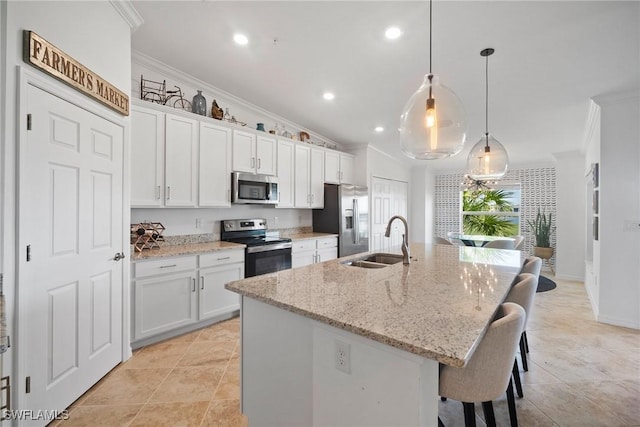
487, 374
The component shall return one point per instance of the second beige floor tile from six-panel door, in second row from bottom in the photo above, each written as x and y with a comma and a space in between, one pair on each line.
189, 384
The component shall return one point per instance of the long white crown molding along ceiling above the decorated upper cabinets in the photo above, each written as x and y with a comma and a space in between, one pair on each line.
160, 67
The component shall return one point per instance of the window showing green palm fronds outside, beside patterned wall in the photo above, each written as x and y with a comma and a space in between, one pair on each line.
491, 212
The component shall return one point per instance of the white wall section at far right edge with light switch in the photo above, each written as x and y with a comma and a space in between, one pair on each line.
619, 299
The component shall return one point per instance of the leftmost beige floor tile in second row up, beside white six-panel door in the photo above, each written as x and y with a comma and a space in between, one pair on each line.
127, 386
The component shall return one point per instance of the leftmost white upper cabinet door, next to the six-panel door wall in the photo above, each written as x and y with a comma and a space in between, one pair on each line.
147, 157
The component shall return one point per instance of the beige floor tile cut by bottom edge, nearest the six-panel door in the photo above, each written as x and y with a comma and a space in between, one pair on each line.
110, 415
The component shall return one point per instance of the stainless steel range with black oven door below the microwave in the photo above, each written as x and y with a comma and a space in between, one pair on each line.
263, 254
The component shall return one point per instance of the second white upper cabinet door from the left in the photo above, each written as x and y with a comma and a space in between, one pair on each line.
181, 161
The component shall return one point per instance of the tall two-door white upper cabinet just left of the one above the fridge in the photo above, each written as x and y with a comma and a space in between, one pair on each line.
309, 177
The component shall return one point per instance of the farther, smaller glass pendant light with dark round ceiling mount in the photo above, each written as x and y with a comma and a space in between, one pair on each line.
488, 158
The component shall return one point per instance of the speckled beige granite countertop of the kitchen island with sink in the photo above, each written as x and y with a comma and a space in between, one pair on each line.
438, 307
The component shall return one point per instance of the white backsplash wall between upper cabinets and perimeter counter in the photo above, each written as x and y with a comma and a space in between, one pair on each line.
203, 225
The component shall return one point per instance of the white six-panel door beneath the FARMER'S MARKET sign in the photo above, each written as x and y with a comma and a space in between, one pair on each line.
70, 286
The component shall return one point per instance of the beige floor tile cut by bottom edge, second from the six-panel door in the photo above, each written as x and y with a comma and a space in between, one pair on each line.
176, 414
